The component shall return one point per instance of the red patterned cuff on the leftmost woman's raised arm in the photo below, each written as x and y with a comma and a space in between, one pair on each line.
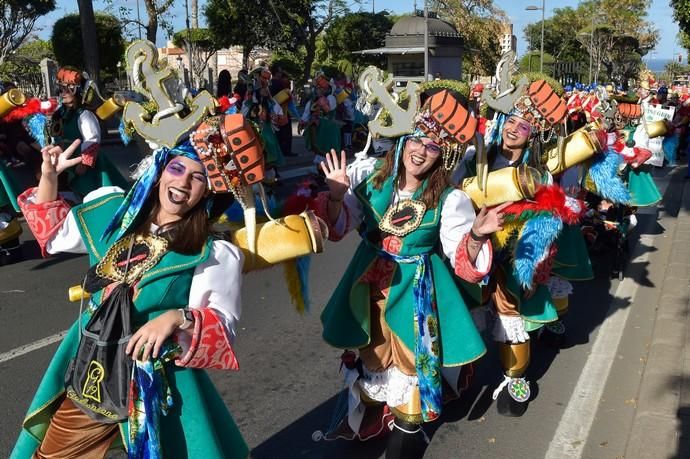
45, 219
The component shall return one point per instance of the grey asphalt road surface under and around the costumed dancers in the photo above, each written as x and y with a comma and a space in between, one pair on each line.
288, 385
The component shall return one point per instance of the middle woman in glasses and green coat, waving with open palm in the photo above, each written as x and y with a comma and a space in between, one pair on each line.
398, 303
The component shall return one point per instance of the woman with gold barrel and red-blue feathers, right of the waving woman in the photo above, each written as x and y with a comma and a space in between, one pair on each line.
522, 287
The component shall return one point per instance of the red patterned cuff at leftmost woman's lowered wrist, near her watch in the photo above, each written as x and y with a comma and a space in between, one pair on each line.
210, 346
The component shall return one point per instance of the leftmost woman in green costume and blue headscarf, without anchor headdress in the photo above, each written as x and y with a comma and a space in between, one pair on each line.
185, 287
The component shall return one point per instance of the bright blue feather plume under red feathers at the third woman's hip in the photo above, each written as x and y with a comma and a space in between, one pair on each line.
533, 245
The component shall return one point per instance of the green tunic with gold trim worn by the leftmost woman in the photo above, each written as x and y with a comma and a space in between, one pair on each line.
199, 424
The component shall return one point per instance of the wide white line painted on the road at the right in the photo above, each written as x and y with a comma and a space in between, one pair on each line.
573, 430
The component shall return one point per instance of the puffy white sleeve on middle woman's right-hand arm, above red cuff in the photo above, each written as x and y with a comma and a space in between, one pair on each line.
457, 217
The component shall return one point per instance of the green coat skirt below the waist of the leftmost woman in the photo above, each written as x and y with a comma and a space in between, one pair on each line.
198, 424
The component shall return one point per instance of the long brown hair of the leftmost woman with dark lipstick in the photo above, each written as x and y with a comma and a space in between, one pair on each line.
186, 235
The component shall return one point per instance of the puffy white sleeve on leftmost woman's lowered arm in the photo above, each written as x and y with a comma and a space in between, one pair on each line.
217, 284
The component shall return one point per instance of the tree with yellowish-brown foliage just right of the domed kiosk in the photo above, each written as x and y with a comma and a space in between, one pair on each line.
480, 24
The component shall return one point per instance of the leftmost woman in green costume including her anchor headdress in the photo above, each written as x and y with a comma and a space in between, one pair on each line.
159, 282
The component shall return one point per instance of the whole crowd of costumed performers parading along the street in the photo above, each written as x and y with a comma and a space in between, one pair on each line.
473, 228
